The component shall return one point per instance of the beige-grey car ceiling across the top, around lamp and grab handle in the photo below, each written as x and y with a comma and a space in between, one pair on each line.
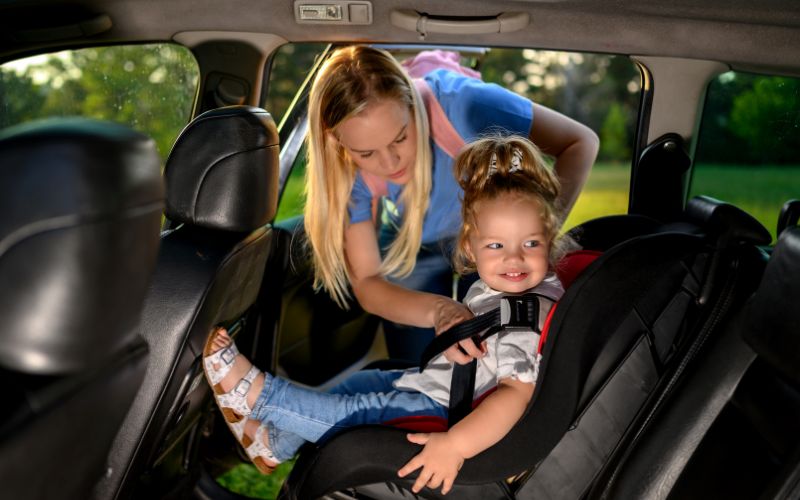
746, 35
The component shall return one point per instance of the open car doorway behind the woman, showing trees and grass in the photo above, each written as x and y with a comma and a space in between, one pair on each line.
601, 91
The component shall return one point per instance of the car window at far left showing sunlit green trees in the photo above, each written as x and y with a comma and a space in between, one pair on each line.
150, 88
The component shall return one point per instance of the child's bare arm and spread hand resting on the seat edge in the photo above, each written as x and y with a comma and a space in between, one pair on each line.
445, 452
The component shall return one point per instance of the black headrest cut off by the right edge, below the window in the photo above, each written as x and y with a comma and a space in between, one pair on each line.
772, 325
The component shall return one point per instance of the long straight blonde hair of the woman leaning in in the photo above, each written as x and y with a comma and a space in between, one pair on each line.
348, 82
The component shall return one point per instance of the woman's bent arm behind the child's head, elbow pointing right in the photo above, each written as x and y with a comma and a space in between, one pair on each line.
573, 145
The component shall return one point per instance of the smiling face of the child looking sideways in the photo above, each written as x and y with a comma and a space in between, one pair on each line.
508, 244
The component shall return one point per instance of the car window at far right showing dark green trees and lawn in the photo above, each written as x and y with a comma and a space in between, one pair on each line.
748, 145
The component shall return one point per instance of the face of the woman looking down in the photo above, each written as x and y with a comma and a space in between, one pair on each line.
382, 140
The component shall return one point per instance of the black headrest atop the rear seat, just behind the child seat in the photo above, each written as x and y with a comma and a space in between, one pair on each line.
725, 221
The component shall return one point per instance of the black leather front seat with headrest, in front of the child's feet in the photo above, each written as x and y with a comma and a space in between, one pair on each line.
221, 180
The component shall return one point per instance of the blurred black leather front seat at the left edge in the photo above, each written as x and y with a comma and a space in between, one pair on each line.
81, 203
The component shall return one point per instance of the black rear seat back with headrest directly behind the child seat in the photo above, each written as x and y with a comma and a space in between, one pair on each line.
639, 366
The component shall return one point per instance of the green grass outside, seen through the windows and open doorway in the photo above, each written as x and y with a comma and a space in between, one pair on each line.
759, 190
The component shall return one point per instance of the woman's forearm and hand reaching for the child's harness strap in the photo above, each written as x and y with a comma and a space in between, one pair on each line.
393, 302
